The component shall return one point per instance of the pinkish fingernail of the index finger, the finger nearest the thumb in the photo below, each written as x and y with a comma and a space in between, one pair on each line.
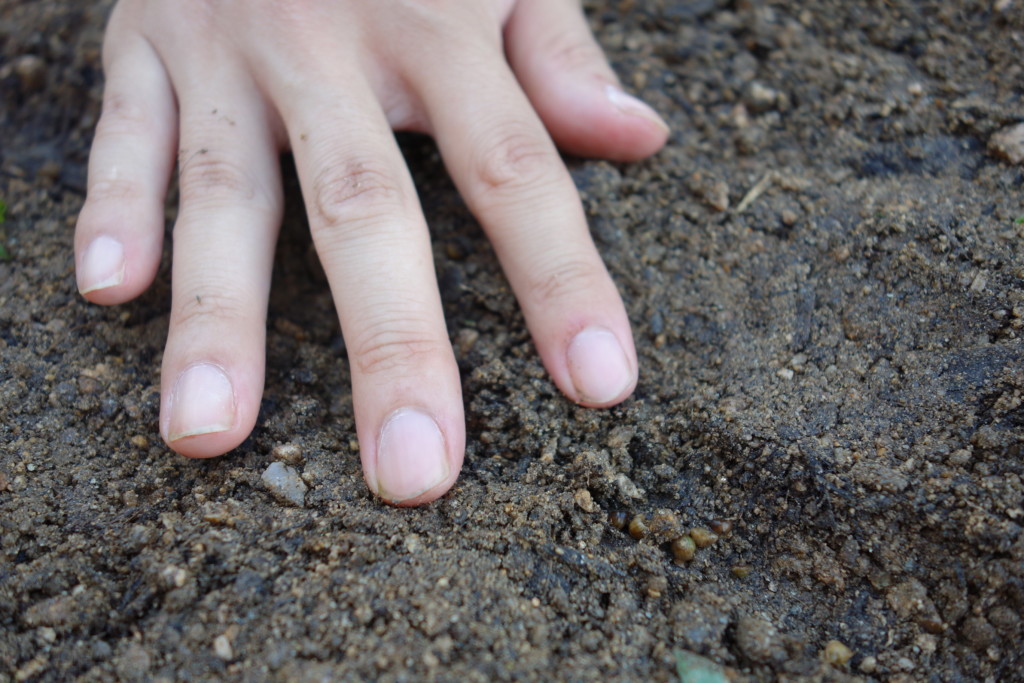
599, 366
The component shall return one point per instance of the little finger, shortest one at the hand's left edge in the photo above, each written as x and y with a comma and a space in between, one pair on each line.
120, 231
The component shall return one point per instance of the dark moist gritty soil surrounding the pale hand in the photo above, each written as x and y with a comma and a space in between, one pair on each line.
827, 283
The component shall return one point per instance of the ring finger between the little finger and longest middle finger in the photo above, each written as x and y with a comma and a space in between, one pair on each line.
230, 214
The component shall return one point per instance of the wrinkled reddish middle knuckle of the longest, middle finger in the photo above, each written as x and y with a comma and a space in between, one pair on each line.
354, 192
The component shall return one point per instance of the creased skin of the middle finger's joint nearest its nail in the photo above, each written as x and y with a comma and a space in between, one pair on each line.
387, 350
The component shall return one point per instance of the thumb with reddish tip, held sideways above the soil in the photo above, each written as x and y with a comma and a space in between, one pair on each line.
565, 73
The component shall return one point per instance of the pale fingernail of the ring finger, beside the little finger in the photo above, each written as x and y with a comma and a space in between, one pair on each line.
202, 403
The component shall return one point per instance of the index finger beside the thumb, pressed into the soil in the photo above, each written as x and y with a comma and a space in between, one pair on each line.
507, 168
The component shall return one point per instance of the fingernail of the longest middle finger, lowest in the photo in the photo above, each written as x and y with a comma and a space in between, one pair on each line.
411, 456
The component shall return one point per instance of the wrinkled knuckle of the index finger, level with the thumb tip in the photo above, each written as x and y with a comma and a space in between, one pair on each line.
517, 160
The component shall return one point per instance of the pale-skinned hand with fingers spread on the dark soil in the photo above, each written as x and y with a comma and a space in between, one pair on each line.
225, 88
